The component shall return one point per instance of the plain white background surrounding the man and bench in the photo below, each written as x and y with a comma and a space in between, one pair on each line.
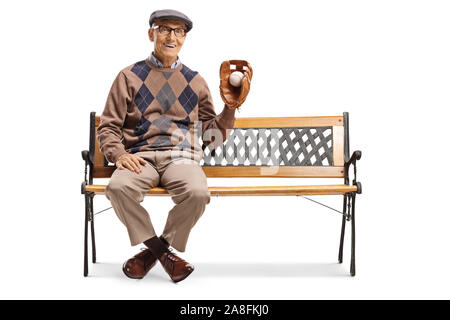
385, 62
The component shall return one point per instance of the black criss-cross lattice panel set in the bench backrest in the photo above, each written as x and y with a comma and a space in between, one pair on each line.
288, 146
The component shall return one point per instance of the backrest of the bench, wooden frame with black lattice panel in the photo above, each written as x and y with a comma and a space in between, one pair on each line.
265, 147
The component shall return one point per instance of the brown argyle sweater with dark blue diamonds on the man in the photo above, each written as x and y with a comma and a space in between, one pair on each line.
153, 108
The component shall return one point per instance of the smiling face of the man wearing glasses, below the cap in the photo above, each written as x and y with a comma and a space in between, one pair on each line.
167, 46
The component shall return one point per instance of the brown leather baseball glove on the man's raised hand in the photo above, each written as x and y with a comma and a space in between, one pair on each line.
234, 97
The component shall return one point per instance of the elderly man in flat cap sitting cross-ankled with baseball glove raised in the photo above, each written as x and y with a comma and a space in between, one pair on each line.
149, 130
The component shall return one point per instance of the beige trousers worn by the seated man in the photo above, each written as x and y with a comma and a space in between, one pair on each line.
186, 183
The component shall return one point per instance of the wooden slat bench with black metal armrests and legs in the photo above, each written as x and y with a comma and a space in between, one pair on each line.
287, 147
